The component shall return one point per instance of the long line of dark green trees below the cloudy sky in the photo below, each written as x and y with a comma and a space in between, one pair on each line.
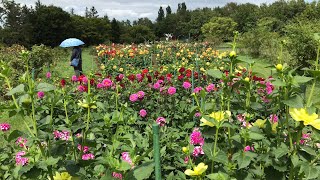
49, 25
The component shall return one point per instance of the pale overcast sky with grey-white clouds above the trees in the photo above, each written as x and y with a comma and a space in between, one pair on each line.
133, 9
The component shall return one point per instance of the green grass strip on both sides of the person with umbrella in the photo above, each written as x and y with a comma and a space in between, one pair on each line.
64, 70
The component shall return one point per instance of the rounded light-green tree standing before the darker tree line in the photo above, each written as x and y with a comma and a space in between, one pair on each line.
219, 28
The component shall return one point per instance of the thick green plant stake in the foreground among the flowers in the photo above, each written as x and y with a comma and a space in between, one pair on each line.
156, 149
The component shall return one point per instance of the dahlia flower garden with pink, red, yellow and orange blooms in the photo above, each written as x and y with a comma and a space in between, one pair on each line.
220, 116
